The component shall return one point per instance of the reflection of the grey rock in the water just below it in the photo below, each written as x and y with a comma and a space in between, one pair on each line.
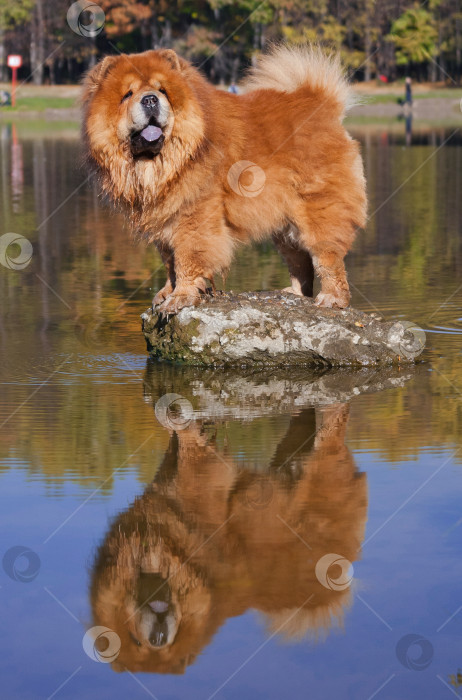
246, 395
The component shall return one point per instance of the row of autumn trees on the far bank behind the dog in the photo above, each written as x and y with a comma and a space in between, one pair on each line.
384, 39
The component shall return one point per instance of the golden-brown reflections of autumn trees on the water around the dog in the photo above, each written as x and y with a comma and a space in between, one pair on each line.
84, 252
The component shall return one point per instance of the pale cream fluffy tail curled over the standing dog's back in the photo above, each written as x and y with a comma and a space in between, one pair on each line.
288, 69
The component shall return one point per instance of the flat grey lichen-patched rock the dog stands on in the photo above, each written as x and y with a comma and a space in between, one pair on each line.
276, 329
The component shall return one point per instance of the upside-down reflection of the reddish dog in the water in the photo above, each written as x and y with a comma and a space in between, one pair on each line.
210, 539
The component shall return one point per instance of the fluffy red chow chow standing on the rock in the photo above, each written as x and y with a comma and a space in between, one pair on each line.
200, 171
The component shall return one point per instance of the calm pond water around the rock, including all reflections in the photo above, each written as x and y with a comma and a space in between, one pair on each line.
296, 535
